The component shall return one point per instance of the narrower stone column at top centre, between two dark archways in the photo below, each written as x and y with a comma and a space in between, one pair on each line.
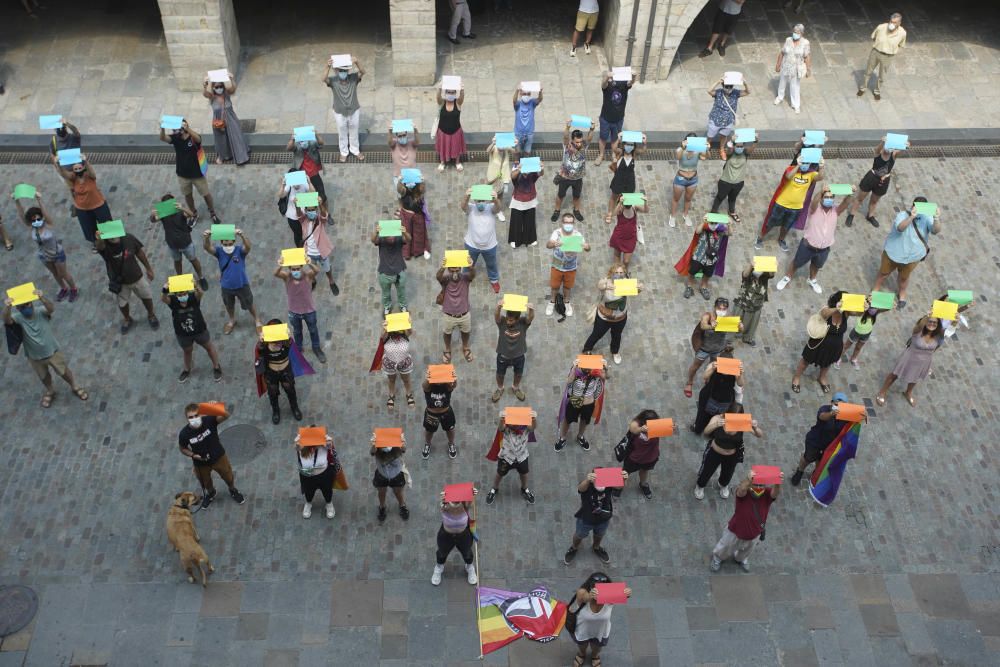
414, 42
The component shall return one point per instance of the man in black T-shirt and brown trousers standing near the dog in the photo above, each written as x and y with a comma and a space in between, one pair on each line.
199, 441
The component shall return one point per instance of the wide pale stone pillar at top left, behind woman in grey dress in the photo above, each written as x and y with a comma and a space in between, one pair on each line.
201, 35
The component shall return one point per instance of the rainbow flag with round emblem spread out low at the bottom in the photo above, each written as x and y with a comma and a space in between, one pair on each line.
505, 616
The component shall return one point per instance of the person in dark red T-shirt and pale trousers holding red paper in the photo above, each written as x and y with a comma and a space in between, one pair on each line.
753, 504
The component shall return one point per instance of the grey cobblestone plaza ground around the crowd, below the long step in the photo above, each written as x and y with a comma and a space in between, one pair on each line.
901, 569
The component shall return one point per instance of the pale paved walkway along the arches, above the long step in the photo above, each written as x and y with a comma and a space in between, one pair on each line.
122, 83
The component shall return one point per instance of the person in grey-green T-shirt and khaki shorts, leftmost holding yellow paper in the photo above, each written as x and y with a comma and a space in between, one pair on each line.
40, 346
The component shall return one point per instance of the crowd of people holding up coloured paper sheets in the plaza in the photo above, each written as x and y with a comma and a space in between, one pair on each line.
803, 200
